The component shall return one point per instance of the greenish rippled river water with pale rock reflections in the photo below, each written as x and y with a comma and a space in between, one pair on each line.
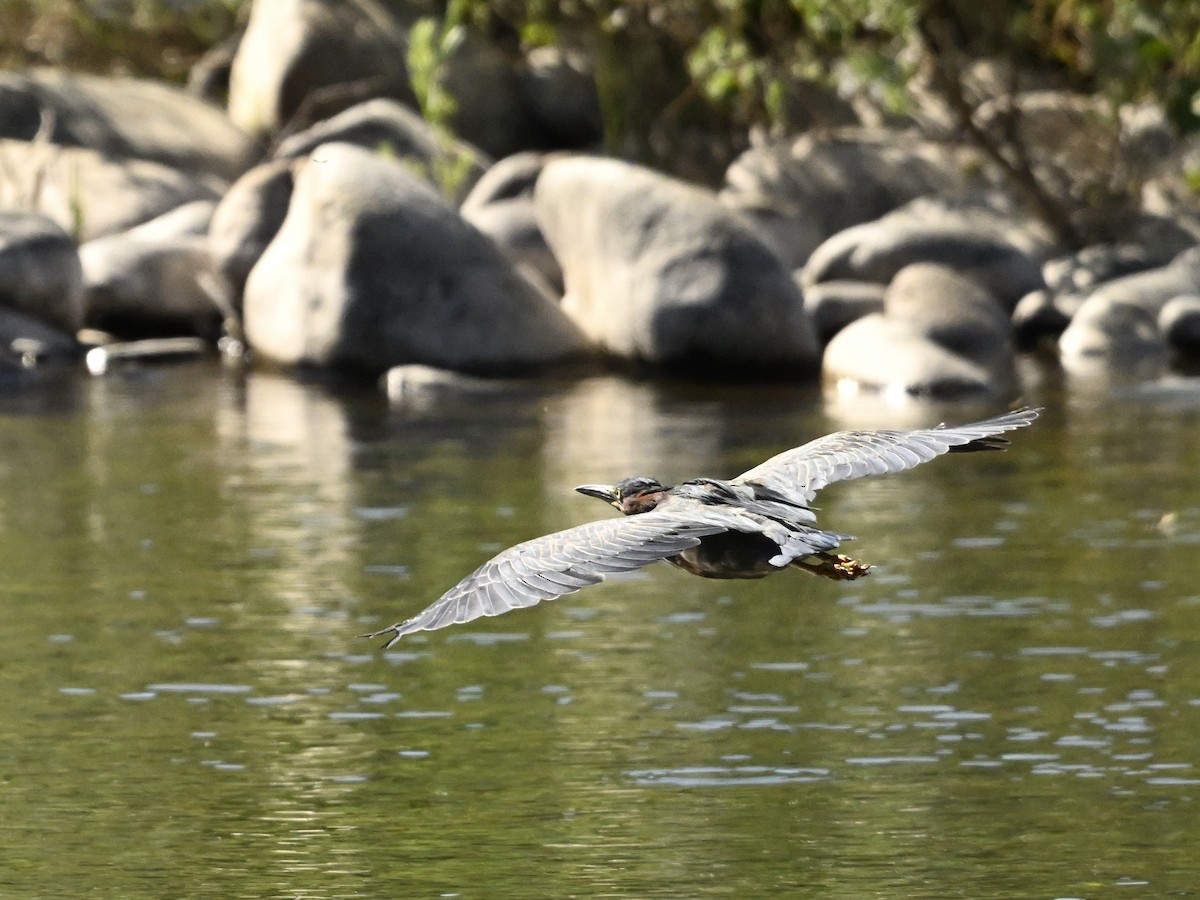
1010, 707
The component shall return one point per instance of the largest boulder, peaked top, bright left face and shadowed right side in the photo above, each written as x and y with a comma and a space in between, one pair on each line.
373, 269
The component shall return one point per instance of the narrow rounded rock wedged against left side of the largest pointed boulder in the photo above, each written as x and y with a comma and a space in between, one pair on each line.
247, 221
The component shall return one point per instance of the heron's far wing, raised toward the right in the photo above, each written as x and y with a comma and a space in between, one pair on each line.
845, 455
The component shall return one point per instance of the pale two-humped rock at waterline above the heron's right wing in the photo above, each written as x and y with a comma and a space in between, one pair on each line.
939, 335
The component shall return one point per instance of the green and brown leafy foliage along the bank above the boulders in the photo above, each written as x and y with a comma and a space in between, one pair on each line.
676, 75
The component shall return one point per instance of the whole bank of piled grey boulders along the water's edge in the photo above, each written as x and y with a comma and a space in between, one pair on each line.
878, 259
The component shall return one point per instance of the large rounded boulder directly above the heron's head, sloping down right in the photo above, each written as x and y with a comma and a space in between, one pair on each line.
659, 272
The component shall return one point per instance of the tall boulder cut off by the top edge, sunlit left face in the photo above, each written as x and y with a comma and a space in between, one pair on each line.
315, 58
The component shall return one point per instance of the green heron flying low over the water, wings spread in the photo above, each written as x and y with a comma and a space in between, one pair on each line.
748, 527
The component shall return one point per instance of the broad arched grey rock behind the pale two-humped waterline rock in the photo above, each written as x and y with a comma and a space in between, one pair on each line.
973, 243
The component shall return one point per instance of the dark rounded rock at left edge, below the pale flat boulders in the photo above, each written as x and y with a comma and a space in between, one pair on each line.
40, 274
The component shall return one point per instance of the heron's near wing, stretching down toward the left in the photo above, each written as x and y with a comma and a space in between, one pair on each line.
557, 565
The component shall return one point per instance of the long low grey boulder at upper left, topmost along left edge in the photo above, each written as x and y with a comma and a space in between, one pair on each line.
124, 118
